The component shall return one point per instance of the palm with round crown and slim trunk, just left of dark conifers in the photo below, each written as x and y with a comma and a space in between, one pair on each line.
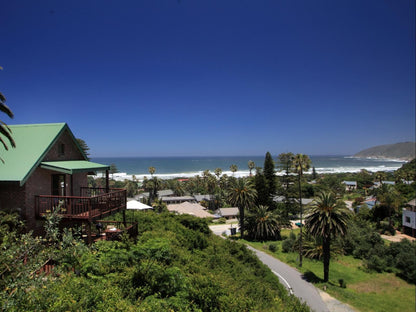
242, 194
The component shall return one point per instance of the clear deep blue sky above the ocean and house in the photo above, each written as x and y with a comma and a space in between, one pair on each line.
170, 78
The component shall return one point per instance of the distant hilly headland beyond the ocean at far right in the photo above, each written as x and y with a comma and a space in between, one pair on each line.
403, 151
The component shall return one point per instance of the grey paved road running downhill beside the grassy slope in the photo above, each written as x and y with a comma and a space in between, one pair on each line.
317, 300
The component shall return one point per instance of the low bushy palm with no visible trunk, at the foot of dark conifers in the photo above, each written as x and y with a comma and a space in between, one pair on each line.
262, 224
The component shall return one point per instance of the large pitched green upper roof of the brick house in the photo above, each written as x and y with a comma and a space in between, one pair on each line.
33, 142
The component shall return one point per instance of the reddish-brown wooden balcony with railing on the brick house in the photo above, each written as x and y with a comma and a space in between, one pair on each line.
95, 203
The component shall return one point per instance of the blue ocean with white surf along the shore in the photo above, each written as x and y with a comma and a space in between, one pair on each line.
173, 167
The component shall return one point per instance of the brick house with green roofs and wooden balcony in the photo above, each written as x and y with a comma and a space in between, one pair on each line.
48, 169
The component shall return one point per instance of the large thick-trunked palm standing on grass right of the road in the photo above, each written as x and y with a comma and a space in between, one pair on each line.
328, 217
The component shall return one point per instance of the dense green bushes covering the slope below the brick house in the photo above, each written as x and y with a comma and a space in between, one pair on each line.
176, 265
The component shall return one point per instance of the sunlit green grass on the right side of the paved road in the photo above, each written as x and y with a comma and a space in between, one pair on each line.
365, 291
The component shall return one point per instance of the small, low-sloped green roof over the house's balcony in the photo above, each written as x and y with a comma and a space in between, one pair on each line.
73, 166
